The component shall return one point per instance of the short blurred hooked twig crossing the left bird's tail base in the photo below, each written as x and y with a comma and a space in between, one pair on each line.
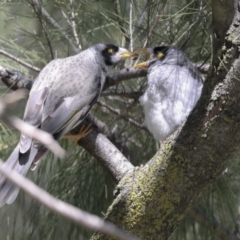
41, 136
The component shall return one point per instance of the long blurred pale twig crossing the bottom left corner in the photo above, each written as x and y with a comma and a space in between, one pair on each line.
64, 209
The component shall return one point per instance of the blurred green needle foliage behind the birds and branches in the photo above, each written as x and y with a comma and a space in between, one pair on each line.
28, 34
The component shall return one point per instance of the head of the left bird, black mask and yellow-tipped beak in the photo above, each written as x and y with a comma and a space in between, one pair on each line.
113, 54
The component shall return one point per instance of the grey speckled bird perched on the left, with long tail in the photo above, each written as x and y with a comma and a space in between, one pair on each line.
61, 97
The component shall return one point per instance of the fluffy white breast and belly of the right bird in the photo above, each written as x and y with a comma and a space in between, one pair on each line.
171, 95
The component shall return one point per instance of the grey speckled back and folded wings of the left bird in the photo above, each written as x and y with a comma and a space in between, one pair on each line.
61, 95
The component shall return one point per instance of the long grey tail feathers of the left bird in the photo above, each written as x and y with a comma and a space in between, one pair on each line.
8, 191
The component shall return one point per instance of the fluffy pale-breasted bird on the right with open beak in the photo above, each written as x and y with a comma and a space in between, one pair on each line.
174, 87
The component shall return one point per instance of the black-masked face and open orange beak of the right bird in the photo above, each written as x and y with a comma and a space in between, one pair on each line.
154, 54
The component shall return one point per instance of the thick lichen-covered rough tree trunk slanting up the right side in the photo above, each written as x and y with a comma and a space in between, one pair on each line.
153, 199
